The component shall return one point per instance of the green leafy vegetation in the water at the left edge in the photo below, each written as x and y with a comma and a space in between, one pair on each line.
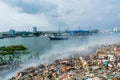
13, 52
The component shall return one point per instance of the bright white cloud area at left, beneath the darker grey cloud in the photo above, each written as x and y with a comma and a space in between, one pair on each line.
11, 18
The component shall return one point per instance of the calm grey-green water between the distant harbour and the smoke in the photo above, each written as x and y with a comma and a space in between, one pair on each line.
42, 44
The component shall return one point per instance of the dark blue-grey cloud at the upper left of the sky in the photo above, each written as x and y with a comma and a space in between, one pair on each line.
38, 6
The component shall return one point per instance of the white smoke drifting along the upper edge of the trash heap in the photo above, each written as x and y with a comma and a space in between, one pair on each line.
65, 49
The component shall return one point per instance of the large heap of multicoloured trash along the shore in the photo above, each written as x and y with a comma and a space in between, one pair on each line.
104, 64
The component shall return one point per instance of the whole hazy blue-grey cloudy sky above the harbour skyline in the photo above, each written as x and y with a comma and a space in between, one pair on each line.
49, 14
